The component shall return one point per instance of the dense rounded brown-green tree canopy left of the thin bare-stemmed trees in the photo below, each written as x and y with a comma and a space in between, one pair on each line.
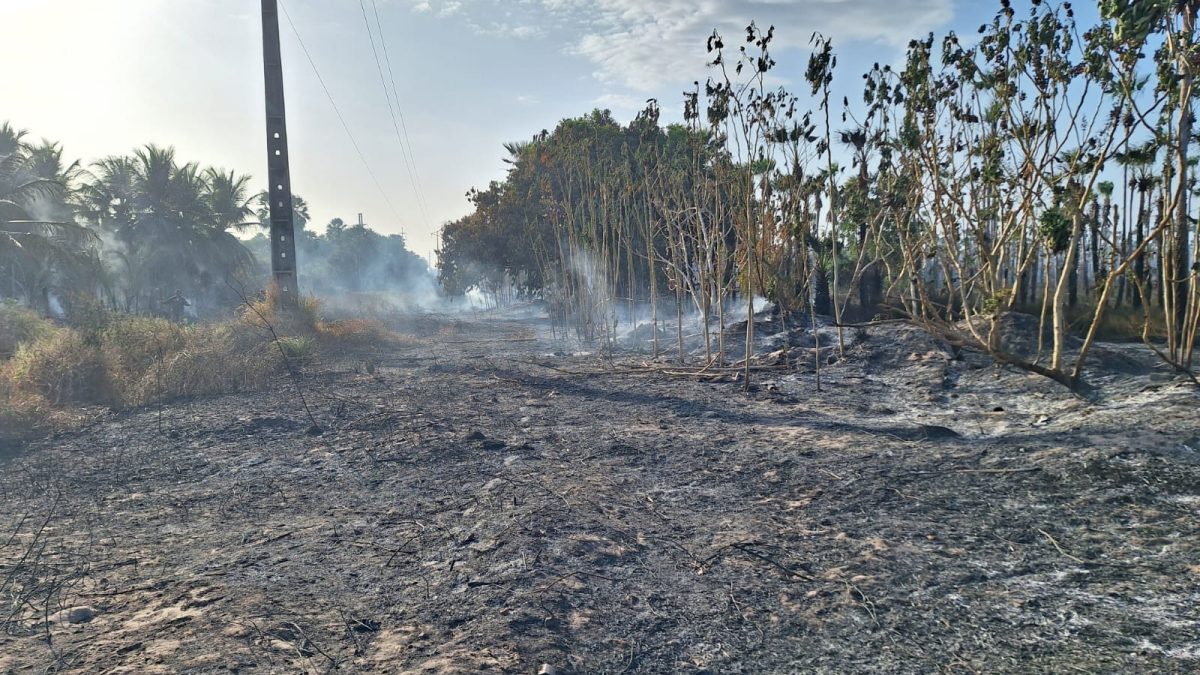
592, 184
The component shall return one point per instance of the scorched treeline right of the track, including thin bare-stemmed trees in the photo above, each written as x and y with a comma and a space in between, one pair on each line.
1035, 166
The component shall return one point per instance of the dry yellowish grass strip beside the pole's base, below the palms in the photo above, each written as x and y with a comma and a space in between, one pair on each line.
50, 373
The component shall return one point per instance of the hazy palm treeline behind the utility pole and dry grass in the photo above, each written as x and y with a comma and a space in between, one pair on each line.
128, 231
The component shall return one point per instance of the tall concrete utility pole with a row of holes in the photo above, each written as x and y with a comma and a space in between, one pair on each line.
284, 247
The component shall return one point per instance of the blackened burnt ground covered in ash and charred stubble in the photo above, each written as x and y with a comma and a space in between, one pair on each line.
481, 505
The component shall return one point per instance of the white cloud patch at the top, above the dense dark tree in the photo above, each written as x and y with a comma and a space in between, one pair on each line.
646, 45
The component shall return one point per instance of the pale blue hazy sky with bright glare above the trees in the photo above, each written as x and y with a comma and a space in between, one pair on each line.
106, 77
